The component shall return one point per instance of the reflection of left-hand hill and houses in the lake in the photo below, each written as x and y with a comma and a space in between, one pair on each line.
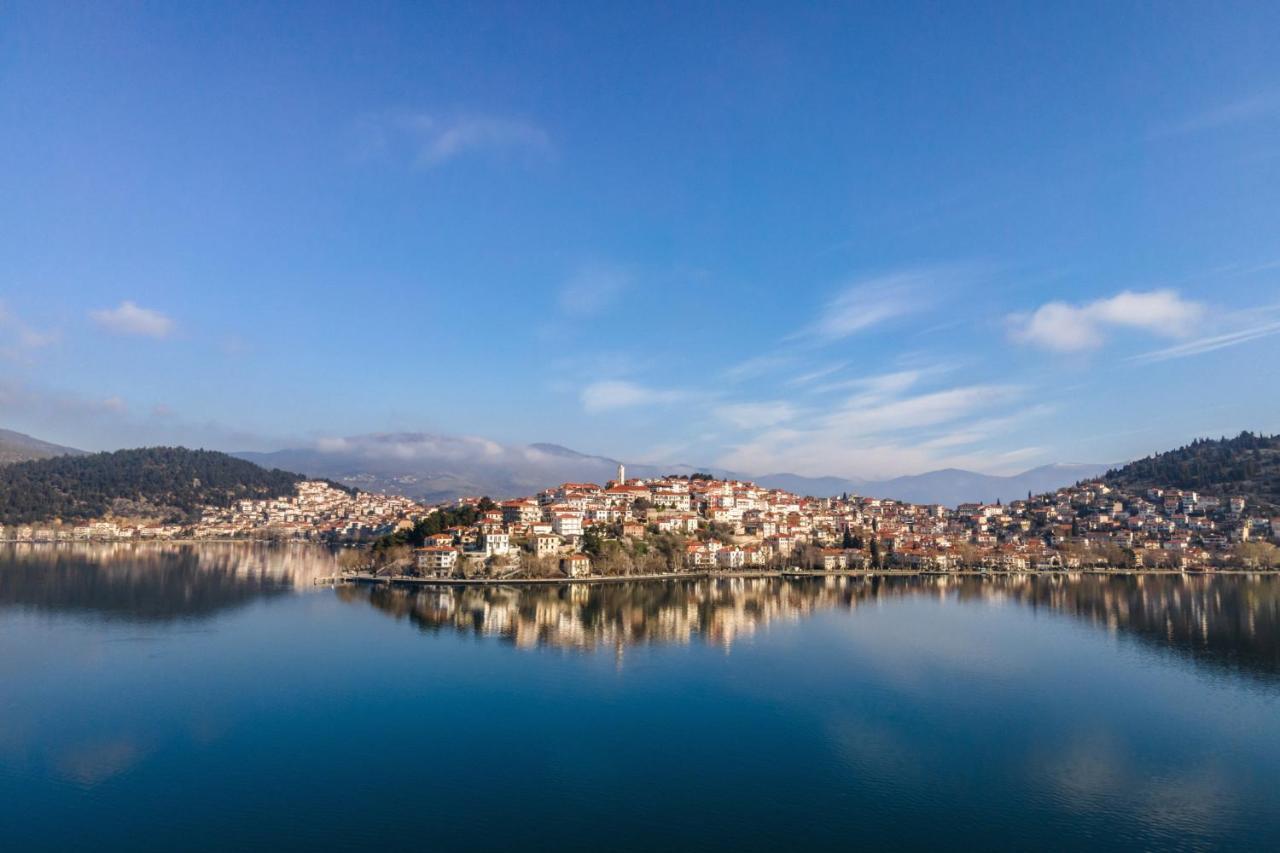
154, 582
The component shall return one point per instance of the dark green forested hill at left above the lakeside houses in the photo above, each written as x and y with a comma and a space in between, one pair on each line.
166, 483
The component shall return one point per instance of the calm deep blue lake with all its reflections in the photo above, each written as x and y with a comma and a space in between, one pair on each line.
159, 699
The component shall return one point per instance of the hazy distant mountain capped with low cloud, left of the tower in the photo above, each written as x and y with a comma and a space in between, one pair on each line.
444, 468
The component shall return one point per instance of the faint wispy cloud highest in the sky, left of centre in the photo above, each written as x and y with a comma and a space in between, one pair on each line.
432, 142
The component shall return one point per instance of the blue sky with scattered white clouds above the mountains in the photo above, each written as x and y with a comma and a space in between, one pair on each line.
857, 240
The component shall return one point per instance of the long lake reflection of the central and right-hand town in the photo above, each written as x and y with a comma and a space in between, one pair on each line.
1224, 621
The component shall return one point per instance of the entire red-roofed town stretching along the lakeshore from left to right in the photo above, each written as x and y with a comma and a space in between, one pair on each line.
700, 524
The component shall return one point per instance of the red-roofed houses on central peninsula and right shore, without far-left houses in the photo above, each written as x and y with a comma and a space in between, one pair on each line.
729, 526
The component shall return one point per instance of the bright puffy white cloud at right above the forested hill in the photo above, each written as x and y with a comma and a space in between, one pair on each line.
1071, 329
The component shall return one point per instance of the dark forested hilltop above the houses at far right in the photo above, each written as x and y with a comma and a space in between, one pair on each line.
1247, 466
